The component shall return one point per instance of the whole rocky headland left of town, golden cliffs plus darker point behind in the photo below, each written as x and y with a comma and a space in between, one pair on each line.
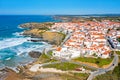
42, 30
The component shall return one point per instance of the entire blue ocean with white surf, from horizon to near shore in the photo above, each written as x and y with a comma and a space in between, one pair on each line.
14, 48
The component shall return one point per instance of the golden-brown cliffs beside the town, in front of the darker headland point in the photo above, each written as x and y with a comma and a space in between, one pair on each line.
51, 37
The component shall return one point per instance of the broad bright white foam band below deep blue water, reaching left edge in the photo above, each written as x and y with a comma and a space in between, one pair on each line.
11, 42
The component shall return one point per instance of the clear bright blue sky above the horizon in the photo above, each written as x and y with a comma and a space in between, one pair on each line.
59, 7
